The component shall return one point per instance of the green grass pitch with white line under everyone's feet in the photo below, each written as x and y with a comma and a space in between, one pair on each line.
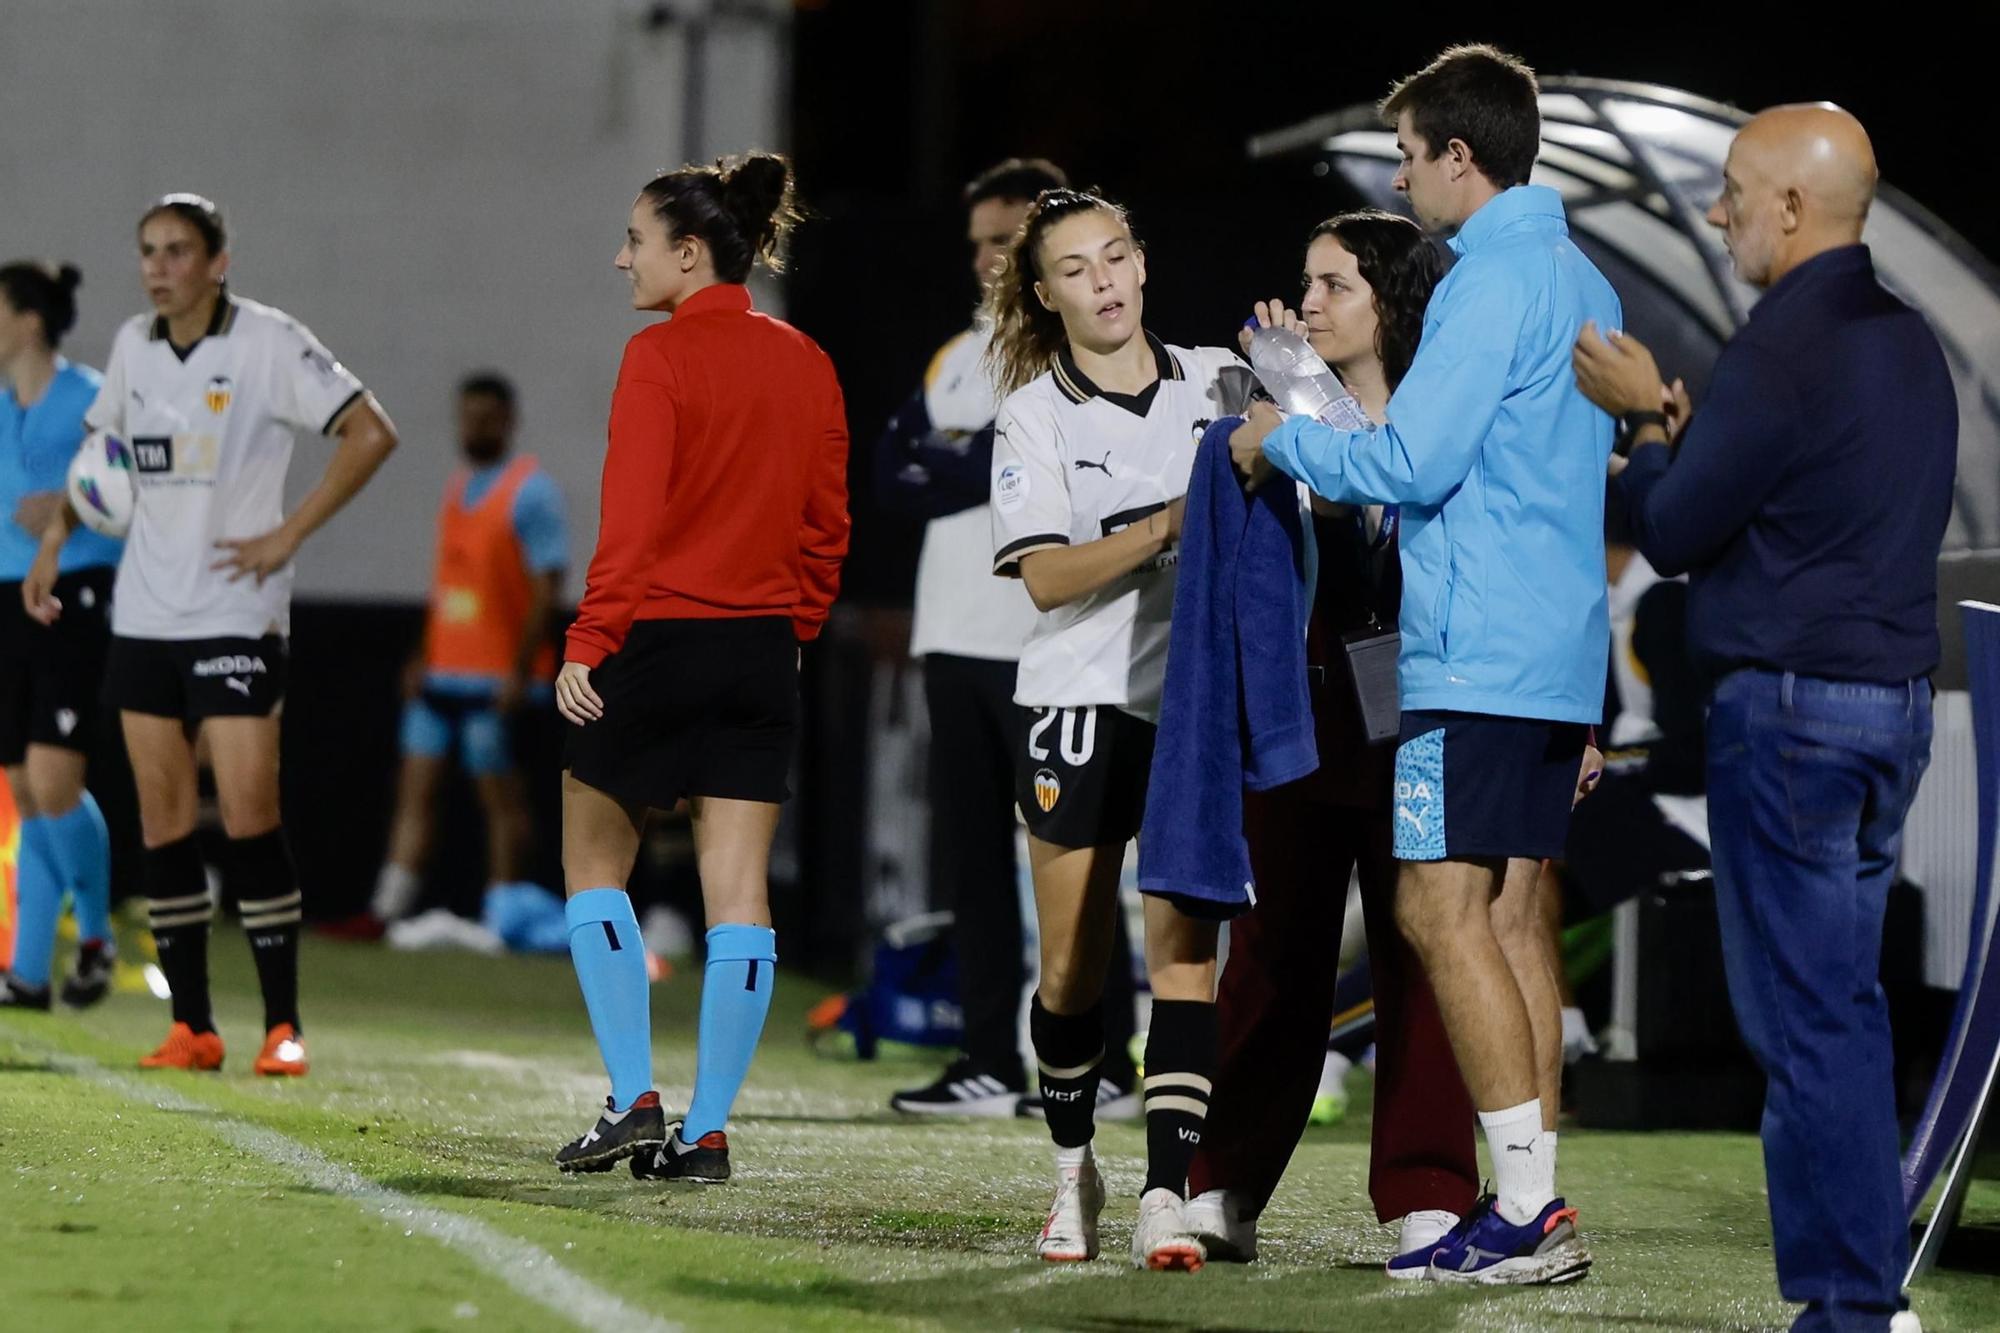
443, 1084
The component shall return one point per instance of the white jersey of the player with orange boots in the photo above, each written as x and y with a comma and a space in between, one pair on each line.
211, 437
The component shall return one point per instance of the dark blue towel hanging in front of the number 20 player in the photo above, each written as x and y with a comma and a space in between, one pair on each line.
1235, 712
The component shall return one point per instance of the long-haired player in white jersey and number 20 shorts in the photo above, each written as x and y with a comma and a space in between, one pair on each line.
1093, 455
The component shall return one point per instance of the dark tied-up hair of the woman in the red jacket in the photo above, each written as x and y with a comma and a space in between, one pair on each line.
743, 209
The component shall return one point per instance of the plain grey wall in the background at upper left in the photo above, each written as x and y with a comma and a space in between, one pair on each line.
419, 181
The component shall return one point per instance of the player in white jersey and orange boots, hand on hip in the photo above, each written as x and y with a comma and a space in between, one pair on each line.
211, 391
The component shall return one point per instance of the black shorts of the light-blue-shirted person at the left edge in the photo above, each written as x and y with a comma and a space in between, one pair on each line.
49, 674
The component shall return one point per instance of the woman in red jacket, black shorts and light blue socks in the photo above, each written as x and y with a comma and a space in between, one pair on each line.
719, 553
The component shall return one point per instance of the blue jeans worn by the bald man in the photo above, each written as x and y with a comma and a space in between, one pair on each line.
1809, 784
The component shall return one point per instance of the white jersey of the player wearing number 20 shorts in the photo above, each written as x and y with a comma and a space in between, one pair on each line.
1073, 465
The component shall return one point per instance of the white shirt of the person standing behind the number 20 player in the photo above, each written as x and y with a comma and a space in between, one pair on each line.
961, 607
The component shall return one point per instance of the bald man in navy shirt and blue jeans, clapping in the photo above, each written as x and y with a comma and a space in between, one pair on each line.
1807, 501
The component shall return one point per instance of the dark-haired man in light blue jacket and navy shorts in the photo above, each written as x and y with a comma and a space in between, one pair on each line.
1497, 465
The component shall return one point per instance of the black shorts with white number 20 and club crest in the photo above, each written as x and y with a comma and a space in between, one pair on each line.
1081, 774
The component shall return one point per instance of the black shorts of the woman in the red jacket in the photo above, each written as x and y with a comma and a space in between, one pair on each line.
693, 710
